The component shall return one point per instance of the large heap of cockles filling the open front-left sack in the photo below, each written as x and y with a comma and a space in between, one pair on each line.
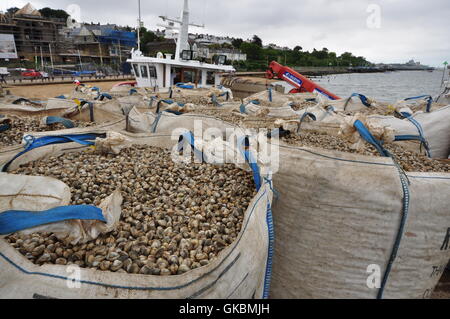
175, 217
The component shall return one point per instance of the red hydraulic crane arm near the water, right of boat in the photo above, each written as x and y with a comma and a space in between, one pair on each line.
300, 82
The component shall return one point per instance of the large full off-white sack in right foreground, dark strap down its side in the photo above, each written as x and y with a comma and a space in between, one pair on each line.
342, 217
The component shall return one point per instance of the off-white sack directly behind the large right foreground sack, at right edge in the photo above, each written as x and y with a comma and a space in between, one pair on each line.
421, 132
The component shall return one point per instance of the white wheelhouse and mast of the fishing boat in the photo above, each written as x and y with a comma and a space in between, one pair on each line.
165, 70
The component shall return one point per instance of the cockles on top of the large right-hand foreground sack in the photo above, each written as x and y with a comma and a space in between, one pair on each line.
409, 161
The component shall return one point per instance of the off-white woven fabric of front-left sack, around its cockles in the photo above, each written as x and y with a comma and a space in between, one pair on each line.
241, 270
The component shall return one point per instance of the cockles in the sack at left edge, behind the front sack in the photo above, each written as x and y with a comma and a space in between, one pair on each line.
20, 126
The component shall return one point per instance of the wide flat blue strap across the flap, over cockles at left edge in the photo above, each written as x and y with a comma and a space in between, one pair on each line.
15, 220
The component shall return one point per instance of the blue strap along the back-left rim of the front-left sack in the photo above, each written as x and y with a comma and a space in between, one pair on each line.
83, 139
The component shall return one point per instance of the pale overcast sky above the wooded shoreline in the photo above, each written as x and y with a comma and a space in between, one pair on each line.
380, 30
